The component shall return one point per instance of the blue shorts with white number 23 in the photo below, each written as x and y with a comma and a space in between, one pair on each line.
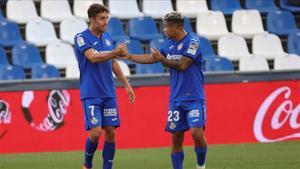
183, 115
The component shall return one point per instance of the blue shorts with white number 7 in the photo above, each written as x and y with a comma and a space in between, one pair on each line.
100, 112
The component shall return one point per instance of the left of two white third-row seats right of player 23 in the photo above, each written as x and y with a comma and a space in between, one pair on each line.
232, 47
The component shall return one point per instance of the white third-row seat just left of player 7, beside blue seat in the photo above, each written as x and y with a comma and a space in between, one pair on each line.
60, 54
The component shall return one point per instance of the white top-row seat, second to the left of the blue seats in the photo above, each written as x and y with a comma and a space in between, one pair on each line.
157, 8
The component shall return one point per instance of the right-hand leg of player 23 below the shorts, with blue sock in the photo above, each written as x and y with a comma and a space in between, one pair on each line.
200, 146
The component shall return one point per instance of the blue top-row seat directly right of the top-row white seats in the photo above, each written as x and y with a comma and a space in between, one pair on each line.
226, 6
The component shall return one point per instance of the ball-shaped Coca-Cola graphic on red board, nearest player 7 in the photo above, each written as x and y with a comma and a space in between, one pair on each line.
57, 102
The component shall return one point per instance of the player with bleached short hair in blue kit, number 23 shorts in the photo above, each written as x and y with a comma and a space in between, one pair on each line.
187, 111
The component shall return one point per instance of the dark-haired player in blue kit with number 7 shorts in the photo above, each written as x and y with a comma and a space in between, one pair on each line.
96, 59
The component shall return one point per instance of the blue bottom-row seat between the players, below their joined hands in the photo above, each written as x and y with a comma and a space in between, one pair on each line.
149, 68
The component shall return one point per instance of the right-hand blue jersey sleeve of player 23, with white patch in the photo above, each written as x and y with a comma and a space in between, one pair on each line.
191, 49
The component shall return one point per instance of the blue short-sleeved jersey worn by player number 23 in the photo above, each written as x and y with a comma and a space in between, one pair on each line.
185, 85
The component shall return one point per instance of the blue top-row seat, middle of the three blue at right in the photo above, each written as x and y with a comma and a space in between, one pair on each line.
263, 6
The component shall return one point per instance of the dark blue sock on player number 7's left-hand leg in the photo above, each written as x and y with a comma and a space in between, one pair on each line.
90, 149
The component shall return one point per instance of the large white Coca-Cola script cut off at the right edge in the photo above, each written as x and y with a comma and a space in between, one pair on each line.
284, 119
